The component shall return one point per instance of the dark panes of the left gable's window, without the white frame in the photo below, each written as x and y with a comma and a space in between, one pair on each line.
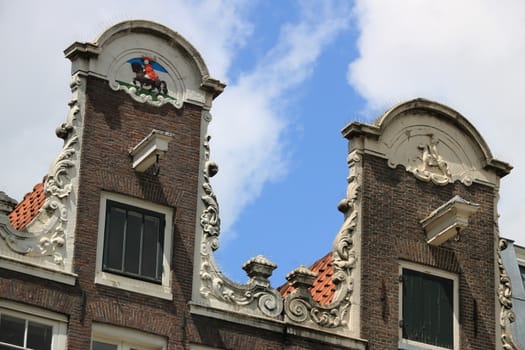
133, 241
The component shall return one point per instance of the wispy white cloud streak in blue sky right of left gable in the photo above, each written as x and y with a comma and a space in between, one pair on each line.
249, 146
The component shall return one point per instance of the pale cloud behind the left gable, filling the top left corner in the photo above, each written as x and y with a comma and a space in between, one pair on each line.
35, 78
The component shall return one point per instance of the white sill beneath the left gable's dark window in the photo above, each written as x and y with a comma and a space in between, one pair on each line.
133, 285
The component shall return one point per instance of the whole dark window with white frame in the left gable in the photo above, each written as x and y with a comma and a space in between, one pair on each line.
134, 245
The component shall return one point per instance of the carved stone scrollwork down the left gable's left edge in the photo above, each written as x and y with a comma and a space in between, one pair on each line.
45, 236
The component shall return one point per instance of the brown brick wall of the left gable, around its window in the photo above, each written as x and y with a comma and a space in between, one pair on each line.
113, 124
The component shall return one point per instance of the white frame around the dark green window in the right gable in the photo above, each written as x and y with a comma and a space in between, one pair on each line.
415, 345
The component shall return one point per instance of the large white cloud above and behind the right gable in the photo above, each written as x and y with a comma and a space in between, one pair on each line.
467, 54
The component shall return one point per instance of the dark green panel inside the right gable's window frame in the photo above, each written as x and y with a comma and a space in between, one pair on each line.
427, 308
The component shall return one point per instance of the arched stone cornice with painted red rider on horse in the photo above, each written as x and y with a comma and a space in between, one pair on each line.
174, 73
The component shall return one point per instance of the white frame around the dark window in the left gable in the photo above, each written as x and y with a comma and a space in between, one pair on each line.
106, 278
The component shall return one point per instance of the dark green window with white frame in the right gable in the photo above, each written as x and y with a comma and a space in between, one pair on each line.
428, 309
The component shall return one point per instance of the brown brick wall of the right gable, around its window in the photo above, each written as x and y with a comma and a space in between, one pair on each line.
393, 203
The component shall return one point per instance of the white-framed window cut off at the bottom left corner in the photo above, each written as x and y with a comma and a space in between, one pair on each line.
21, 327
